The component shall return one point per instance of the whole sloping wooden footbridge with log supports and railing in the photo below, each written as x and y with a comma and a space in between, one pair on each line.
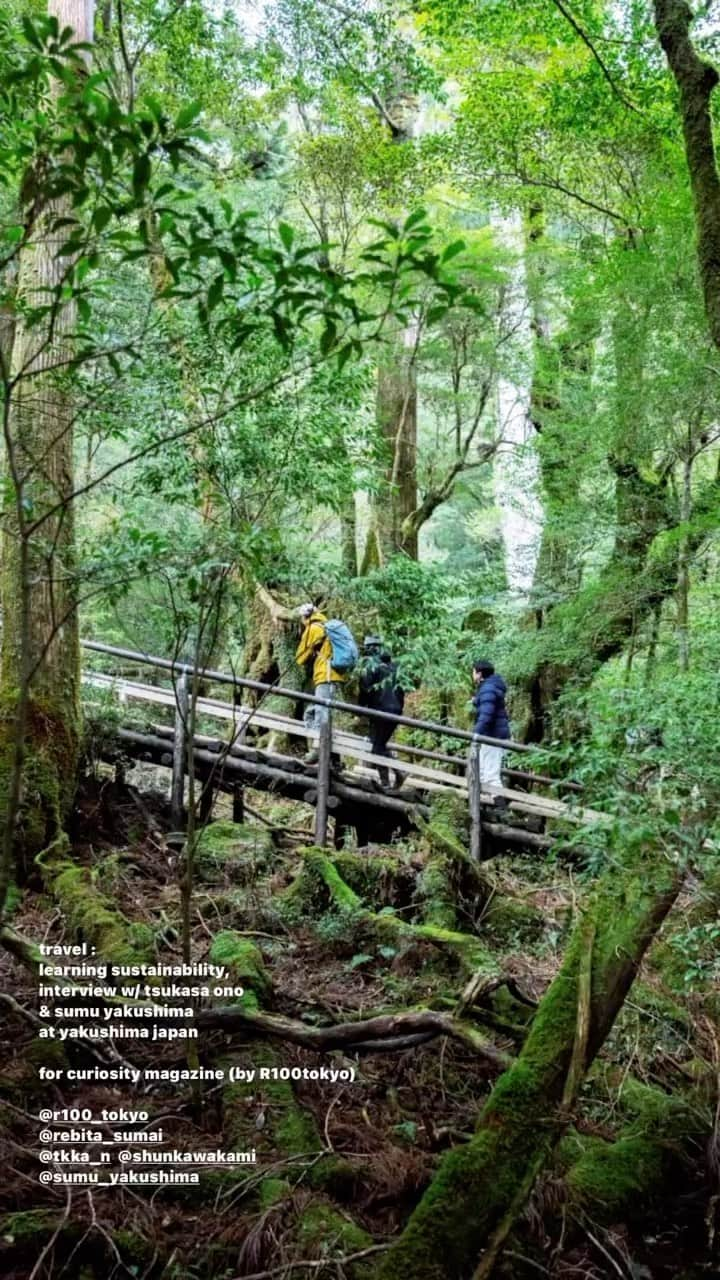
350, 793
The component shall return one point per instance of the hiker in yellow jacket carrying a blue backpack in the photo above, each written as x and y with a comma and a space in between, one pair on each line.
329, 652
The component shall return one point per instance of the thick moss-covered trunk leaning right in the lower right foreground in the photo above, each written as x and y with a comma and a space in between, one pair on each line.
480, 1188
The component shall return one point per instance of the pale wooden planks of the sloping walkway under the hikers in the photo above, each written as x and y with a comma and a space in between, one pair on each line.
349, 746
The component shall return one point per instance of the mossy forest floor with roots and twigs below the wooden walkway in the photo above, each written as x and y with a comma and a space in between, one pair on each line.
321, 939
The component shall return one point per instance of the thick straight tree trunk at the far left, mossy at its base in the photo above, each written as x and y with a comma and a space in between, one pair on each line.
40, 721
